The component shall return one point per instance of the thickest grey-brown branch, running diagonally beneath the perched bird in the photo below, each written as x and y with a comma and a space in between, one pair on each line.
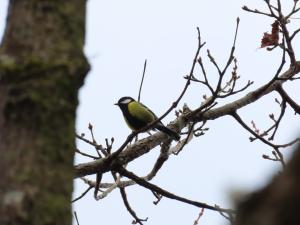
145, 145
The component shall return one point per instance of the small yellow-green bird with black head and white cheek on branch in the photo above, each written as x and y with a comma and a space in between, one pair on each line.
138, 116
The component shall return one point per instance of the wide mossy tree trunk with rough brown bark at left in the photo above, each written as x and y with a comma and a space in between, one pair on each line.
42, 66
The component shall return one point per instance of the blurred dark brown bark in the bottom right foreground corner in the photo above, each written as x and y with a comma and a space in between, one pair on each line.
276, 204
